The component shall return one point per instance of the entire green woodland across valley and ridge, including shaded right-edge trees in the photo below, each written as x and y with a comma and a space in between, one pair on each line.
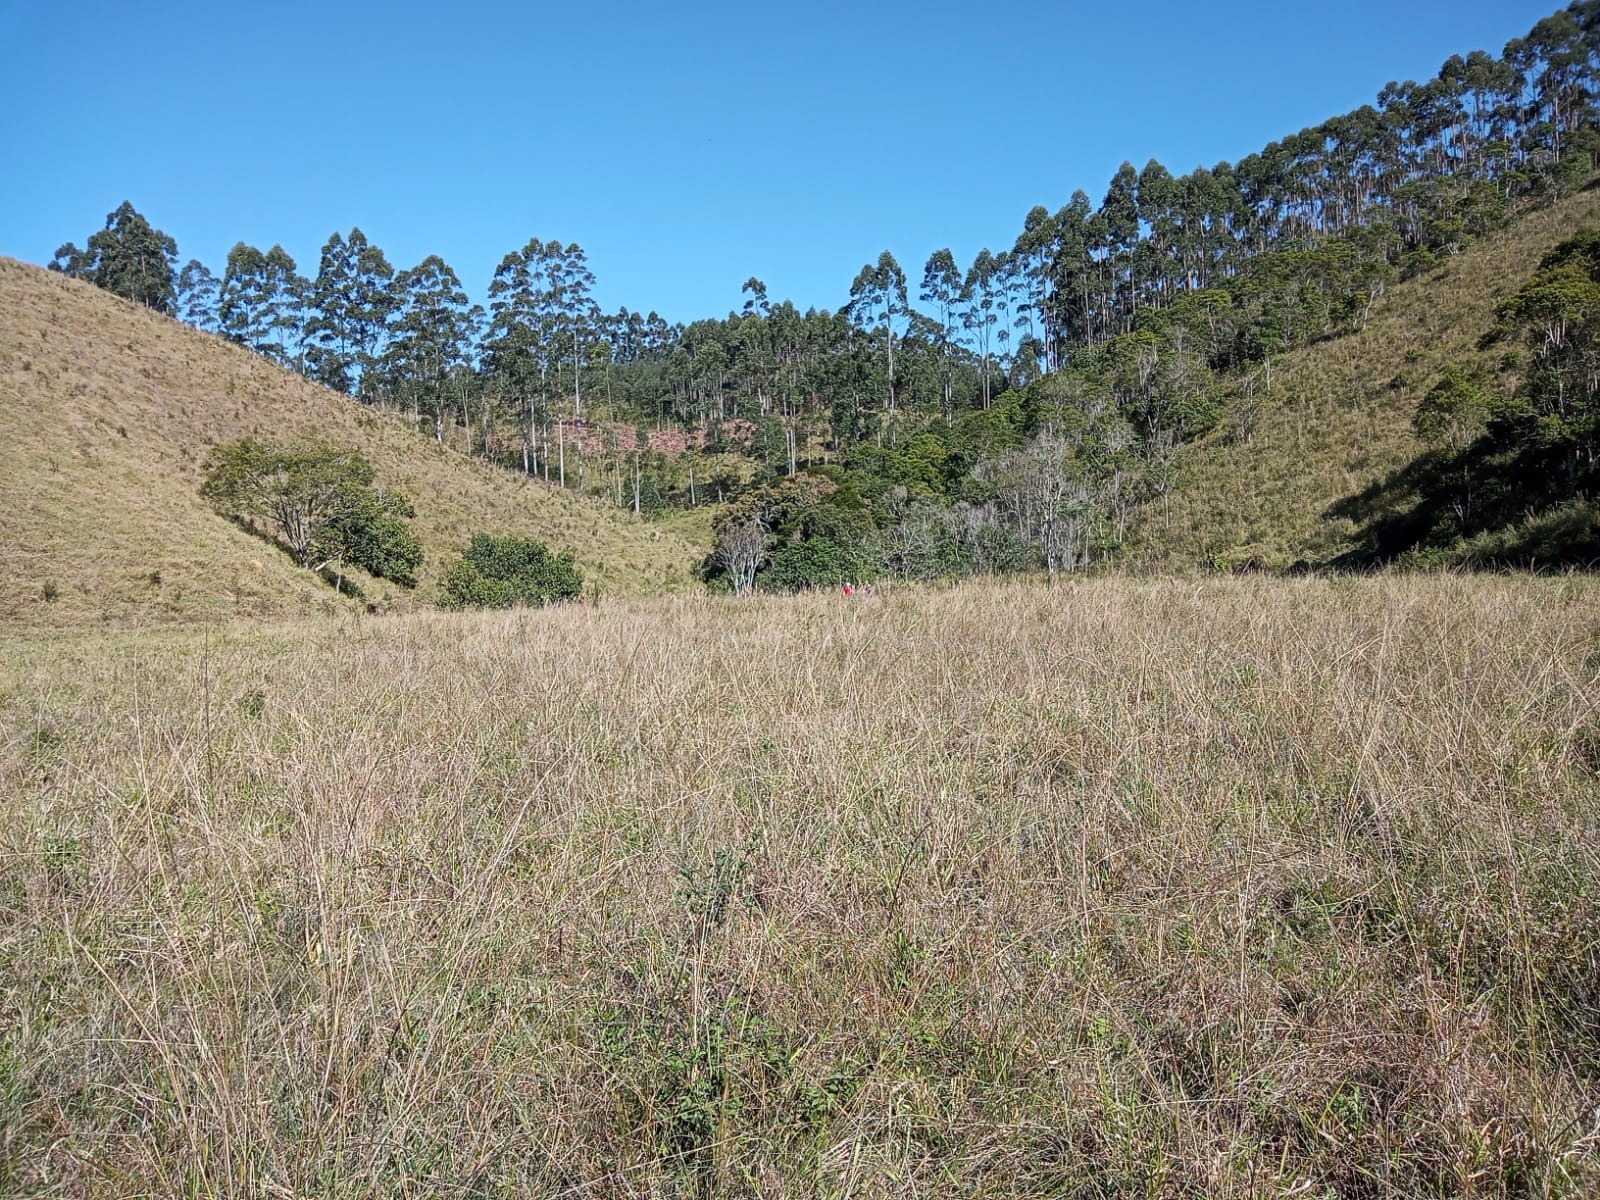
1002, 415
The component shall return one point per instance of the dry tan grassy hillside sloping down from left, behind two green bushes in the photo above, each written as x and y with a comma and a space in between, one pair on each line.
106, 415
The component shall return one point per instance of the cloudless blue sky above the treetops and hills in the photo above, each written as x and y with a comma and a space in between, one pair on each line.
686, 146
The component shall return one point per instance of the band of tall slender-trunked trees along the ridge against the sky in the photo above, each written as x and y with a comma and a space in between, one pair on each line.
1100, 335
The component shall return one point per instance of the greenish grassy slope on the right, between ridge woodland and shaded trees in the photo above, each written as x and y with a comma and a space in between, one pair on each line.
1338, 414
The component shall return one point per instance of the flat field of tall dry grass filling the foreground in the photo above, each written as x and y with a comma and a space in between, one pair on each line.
1135, 889
